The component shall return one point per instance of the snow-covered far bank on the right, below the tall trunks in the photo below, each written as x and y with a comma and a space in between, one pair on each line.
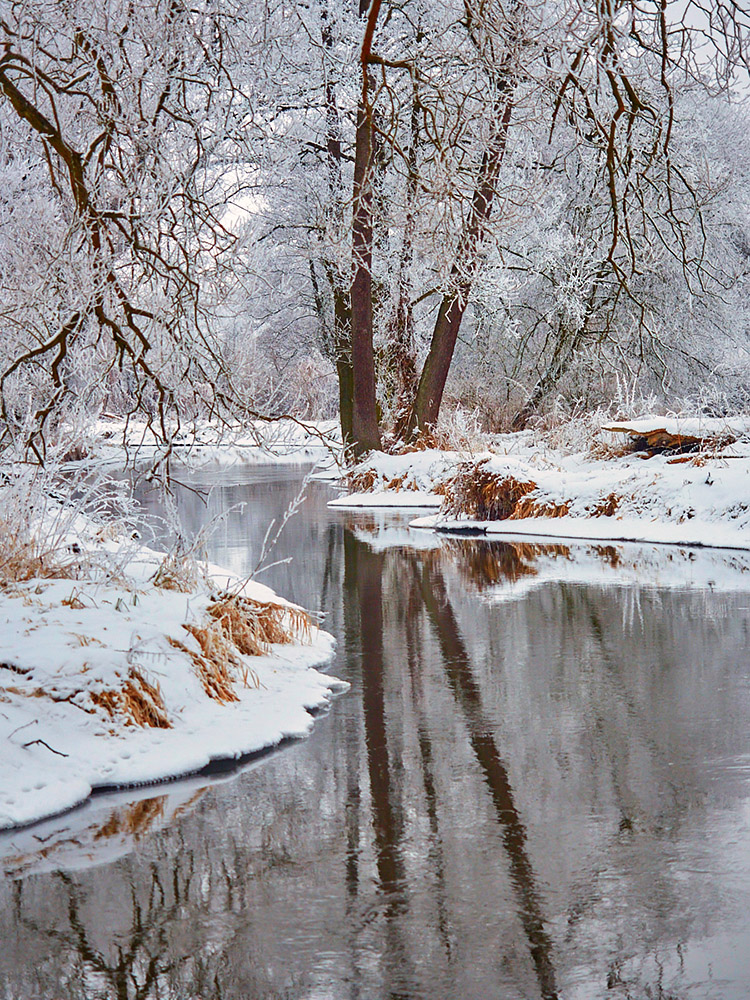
592, 492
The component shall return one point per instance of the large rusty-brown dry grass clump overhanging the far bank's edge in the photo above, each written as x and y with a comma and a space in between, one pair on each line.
475, 492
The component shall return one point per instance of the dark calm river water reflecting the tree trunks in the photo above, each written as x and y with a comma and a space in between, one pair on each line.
538, 786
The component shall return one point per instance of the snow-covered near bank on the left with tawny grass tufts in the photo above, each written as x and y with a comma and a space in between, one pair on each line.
115, 682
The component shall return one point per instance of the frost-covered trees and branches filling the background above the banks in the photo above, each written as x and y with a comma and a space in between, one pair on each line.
217, 208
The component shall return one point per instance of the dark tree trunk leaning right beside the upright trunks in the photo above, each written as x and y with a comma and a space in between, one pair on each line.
435, 372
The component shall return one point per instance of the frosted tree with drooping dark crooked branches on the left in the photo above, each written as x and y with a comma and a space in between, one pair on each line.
117, 125
